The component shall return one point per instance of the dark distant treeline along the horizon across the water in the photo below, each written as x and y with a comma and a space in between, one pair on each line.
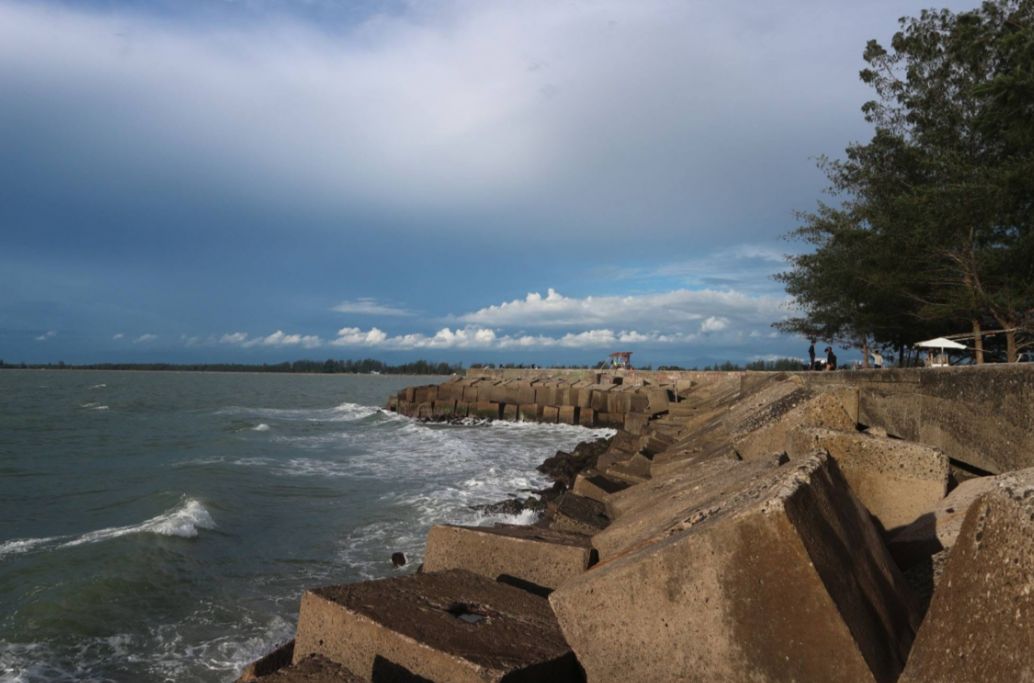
330, 366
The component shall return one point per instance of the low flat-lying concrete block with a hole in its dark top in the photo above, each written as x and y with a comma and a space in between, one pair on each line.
445, 627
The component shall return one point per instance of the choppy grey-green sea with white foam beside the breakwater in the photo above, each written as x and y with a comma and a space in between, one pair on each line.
162, 526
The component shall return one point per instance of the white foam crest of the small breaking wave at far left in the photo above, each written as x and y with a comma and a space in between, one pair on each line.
184, 521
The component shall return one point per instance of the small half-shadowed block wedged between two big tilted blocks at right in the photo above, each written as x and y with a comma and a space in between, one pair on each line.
938, 530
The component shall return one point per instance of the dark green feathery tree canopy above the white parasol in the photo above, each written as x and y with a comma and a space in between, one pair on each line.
931, 229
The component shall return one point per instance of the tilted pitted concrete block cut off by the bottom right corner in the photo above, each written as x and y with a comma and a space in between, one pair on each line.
981, 624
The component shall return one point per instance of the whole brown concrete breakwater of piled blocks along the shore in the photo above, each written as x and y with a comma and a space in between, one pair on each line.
853, 526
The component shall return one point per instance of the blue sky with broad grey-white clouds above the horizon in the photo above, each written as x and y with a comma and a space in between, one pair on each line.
545, 182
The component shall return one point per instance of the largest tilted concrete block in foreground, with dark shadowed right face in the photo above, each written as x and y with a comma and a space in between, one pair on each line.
782, 579
